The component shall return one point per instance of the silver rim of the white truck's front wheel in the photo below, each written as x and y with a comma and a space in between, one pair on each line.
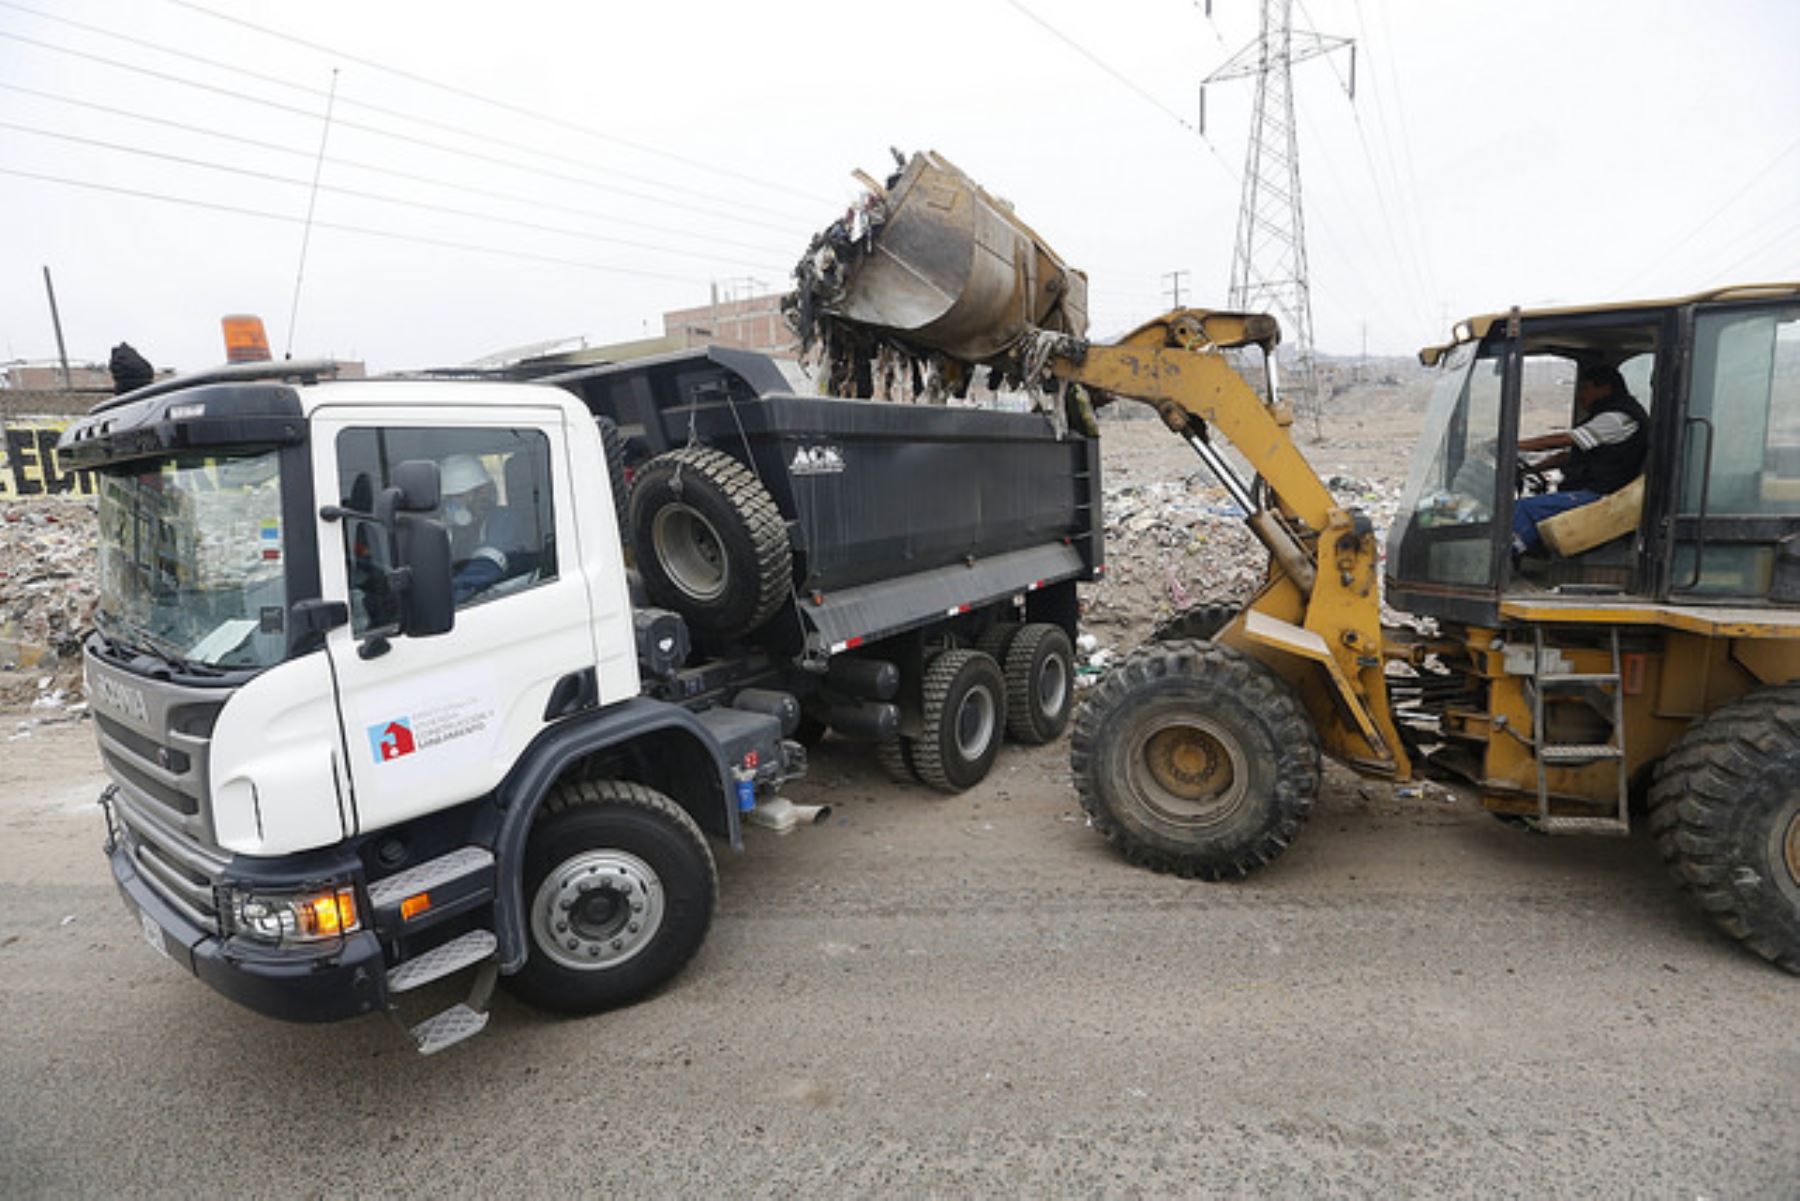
598, 910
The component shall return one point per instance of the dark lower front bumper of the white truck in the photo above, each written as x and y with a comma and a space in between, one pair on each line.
328, 984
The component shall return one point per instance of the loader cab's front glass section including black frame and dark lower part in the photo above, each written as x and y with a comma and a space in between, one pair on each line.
1450, 536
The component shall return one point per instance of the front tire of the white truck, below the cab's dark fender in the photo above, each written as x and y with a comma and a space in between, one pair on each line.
656, 858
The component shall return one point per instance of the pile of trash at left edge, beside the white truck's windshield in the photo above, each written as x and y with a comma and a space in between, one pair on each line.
48, 595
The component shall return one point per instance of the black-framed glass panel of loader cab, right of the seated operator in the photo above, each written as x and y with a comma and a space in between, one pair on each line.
1736, 523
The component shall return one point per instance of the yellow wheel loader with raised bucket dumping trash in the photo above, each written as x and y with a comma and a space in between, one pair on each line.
1648, 642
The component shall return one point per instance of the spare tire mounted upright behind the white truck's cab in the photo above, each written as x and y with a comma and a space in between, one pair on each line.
710, 541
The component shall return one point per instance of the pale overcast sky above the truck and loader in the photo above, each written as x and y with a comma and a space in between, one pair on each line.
589, 167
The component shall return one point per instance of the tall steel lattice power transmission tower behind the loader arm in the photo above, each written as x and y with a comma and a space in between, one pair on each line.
1270, 258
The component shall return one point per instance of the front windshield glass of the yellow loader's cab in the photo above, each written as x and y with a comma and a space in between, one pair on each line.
1446, 525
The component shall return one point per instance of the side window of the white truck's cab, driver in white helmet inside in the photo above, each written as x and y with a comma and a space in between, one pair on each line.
496, 503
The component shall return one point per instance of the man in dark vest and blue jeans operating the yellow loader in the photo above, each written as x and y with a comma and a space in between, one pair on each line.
1599, 456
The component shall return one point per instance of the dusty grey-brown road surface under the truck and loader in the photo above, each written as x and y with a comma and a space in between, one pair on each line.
958, 997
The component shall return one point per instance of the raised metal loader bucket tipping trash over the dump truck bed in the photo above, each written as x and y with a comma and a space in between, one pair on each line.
951, 269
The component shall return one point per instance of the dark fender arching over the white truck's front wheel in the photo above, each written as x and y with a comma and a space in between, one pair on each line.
669, 734
